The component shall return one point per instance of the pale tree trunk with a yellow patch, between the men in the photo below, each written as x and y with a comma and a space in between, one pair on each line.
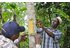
31, 24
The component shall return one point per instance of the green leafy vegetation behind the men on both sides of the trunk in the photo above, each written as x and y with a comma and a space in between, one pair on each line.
45, 11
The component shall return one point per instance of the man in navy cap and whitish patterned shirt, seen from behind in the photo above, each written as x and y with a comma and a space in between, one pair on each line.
10, 35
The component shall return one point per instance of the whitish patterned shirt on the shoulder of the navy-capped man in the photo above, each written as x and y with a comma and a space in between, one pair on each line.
7, 43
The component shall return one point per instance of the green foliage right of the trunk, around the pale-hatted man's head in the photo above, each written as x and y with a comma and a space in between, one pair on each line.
46, 11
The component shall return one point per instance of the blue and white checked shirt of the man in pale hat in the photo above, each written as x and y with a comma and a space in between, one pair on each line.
49, 42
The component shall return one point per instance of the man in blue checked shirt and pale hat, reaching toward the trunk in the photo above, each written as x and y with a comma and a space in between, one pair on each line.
51, 35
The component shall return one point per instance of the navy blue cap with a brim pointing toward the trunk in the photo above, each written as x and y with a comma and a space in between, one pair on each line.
11, 28
